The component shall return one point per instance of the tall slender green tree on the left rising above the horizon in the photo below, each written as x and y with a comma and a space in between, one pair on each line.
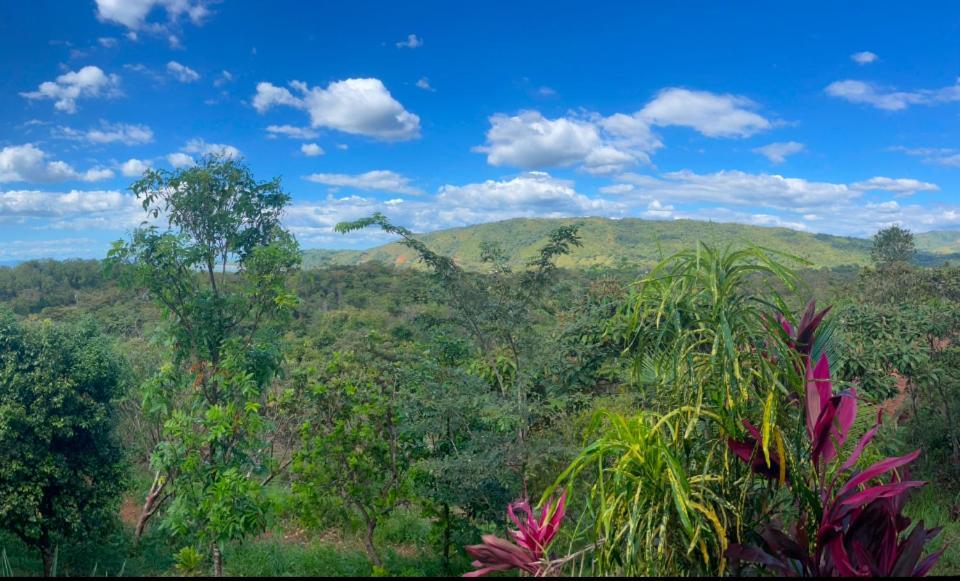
219, 272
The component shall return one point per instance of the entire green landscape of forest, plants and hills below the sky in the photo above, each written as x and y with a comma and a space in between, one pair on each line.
634, 416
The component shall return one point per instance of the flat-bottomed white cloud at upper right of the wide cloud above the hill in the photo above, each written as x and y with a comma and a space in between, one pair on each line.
711, 114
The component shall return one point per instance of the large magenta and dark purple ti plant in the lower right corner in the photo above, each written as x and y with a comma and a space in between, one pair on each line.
861, 529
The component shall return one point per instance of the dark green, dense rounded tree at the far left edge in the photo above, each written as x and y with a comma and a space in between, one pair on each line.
61, 466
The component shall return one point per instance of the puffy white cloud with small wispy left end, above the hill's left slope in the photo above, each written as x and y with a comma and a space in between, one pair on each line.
356, 106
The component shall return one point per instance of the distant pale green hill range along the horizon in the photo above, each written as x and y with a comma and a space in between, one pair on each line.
632, 242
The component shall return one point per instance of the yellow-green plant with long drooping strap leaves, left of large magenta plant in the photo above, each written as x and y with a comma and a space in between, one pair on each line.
665, 494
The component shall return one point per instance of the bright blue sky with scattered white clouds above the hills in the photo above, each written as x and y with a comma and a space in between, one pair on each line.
837, 118
